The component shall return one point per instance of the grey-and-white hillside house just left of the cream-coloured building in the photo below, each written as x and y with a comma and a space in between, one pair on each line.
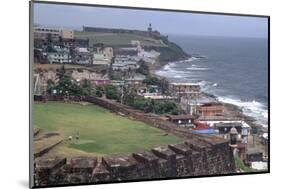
82, 55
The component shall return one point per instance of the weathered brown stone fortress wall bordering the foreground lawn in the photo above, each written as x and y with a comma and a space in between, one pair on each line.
198, 155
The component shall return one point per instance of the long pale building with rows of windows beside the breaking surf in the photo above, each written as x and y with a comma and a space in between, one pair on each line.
189, 90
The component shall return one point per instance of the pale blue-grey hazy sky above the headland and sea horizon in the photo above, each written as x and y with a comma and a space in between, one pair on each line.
168, 23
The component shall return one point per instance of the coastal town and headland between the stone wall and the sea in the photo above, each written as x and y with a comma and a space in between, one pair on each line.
113, 66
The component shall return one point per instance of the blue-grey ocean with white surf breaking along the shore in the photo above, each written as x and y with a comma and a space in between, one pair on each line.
233, 69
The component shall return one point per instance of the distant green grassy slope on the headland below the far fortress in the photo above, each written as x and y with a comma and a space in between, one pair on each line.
114, 39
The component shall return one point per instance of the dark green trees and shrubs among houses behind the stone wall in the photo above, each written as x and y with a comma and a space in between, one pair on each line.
67, 86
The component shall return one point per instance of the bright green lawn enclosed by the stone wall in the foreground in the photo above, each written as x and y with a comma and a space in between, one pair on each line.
101, 132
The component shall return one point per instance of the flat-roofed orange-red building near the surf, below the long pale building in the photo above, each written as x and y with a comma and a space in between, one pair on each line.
211, 109
